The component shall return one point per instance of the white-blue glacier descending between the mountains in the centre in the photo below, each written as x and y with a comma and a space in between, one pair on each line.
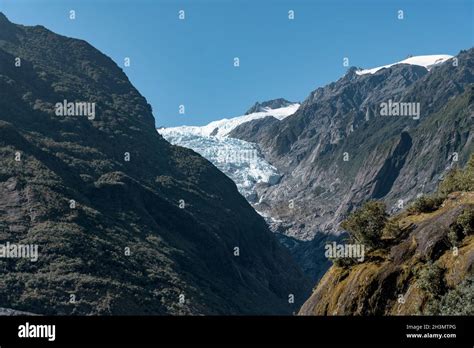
240, 160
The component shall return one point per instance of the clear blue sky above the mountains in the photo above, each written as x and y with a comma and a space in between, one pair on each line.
190, 62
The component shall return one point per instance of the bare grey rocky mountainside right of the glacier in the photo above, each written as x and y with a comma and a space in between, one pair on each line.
337, 151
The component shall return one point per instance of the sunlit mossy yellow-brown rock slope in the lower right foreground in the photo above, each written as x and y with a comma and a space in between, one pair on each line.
420, 271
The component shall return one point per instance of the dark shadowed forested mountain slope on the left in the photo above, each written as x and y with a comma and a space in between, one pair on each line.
125, 223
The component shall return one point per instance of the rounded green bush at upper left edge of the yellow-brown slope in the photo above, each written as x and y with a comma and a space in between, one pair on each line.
366, 224
